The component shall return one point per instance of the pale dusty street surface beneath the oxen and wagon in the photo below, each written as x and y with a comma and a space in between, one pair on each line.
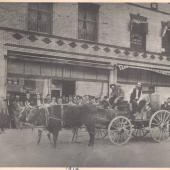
19, 148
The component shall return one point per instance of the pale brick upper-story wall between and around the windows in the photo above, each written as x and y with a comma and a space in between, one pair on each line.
113, 22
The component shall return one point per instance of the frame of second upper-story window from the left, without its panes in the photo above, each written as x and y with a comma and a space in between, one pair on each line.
95, 23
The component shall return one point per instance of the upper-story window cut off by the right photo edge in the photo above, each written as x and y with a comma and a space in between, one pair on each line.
166, 38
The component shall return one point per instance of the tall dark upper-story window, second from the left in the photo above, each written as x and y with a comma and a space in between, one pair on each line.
88, 21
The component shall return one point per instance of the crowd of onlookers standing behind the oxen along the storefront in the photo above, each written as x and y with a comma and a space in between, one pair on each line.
14, 102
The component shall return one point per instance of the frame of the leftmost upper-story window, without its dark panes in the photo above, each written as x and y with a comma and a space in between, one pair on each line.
38, 11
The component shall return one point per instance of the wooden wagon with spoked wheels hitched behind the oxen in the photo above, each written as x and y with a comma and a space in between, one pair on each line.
120, 126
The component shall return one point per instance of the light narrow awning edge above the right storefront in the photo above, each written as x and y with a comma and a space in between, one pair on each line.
123, 67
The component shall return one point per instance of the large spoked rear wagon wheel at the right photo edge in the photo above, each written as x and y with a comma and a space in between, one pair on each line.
160, 125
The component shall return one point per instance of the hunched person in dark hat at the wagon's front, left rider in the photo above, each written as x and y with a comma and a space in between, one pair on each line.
116, 95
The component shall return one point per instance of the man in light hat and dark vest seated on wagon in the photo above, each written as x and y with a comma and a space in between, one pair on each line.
135, 97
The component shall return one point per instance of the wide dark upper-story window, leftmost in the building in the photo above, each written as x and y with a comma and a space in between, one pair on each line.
40, 17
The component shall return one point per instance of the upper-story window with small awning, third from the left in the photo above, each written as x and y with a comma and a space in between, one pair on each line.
138, 31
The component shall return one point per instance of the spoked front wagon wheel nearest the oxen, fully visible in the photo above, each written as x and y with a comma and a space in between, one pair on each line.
120, 130
